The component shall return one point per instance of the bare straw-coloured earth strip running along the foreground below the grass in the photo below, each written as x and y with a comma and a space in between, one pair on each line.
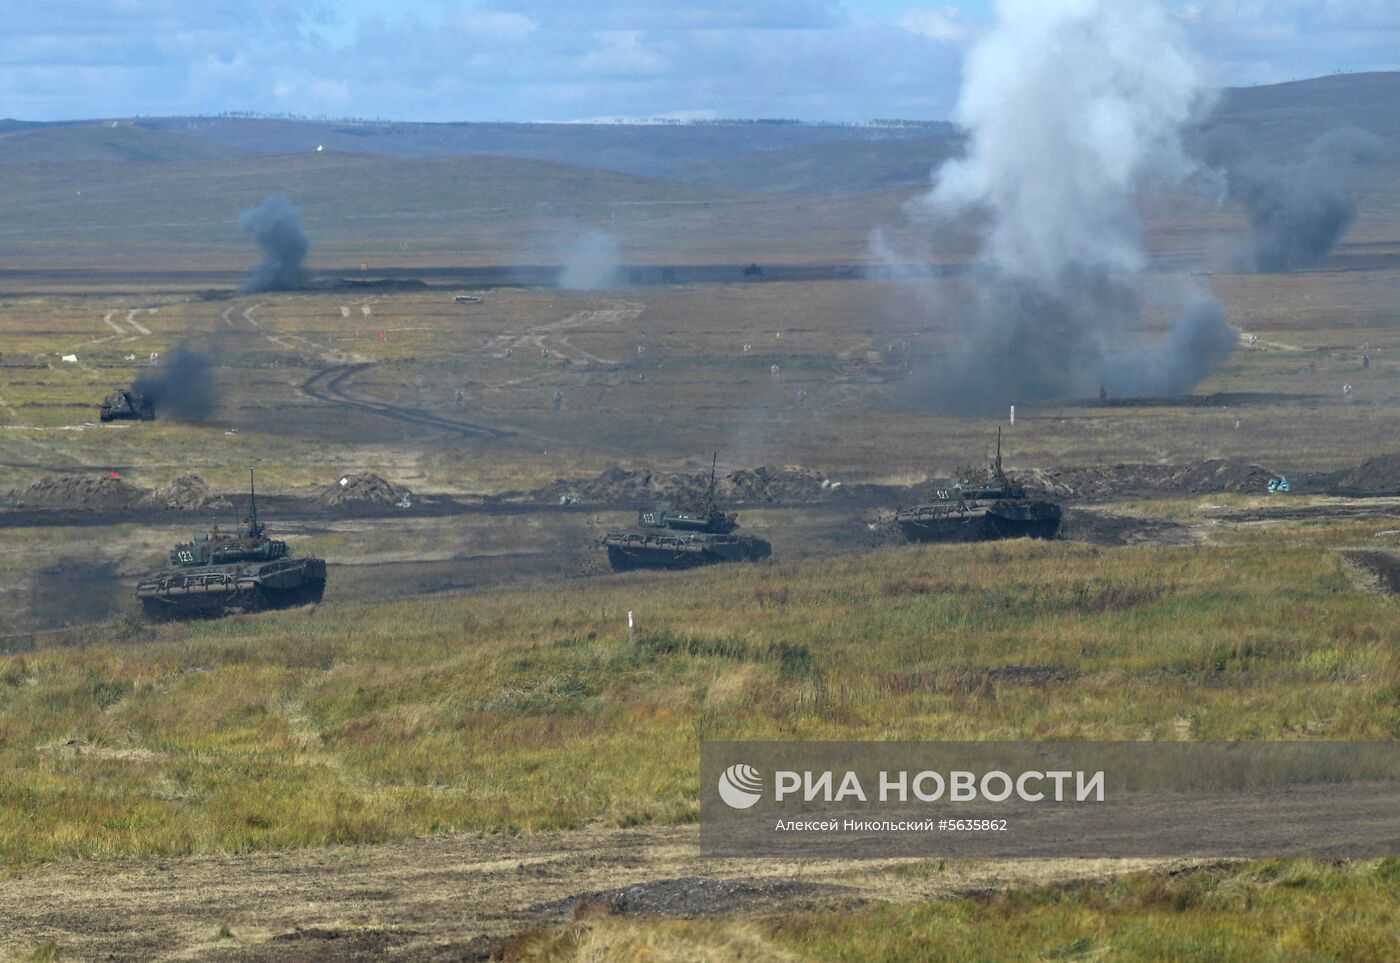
439, 898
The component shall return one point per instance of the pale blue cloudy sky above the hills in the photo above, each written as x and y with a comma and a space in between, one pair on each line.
589, 59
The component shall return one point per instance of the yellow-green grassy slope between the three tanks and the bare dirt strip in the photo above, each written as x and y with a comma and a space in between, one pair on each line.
492, 713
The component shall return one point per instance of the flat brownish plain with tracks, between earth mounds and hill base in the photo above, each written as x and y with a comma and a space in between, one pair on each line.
656, 379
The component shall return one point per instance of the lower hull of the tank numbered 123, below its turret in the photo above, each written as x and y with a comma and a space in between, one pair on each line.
205, 591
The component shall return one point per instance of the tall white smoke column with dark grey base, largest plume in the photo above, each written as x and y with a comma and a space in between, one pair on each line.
1072, 107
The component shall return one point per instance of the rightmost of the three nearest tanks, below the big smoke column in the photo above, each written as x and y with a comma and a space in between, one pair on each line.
997, 509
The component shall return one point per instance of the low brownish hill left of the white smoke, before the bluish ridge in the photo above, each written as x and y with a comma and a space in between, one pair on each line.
405, 212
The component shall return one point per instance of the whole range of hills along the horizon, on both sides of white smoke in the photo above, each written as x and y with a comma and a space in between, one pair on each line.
170, 191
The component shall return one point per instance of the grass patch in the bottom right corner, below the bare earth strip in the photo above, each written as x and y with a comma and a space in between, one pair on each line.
1258, 912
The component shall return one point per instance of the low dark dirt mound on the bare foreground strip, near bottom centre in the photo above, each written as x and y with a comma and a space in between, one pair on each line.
692, 897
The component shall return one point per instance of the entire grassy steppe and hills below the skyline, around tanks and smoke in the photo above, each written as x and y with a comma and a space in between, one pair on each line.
463, 752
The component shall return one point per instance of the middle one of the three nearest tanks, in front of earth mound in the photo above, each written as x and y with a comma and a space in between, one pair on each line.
681, 538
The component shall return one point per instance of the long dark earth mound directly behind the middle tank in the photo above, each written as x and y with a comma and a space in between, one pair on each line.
743, 486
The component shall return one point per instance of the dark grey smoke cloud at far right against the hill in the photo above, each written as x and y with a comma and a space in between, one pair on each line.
1300, 209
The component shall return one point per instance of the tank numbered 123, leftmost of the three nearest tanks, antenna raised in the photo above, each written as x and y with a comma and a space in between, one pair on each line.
225, 572
